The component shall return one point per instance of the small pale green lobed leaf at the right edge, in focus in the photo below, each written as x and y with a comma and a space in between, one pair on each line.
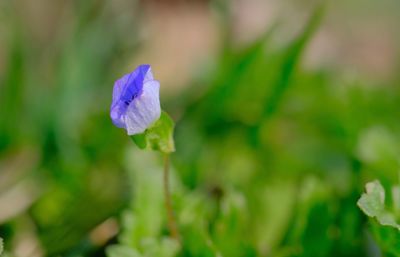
372, 203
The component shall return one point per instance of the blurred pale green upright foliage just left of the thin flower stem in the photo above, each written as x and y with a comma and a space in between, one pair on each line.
143, 224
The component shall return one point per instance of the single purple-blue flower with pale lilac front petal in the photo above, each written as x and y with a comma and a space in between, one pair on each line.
136, 104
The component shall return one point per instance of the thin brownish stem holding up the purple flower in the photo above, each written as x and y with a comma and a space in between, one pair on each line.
168, 203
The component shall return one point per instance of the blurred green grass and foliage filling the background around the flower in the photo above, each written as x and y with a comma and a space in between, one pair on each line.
270, 158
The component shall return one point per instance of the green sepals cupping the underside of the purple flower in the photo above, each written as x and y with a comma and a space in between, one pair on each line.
159, 136
